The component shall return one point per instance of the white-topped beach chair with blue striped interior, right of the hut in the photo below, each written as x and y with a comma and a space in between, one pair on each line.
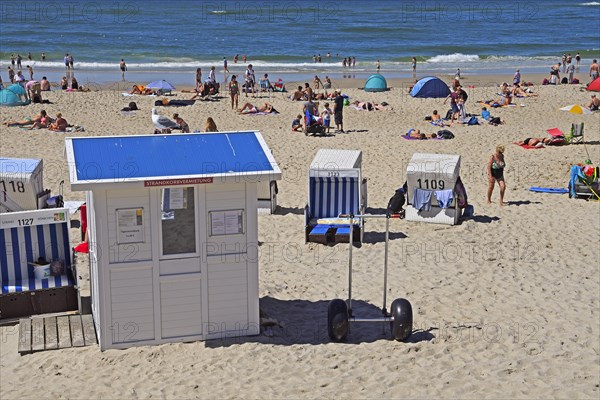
335, 187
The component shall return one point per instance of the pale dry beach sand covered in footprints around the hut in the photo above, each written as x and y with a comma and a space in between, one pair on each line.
506, 304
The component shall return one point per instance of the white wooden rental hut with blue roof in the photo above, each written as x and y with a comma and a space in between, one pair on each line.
172, 223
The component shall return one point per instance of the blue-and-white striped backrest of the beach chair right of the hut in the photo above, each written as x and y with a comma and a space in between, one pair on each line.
330, 197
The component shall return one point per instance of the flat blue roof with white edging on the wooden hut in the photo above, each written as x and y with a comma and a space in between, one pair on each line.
152, 158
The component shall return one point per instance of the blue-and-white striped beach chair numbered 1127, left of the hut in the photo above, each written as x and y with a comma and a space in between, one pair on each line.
24, 238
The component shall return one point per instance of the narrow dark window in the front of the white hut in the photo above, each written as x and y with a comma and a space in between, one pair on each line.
178, 219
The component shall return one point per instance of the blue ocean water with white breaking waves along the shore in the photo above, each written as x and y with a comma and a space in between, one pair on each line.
281, 37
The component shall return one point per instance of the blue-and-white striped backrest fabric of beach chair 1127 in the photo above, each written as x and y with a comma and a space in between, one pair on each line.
20, 246
